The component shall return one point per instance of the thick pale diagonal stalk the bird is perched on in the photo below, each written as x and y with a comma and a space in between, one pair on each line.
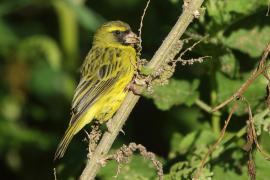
93, 164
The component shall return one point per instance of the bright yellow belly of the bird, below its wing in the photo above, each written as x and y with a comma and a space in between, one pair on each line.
111, 102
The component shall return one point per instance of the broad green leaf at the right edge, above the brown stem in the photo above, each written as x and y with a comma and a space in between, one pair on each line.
250, 41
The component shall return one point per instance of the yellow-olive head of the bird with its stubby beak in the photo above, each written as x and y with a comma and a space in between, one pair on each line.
115, 33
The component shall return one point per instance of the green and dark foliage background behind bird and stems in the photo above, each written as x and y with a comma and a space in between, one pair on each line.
44, 42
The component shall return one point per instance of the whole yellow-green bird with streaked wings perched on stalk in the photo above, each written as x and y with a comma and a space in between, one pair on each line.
105, 74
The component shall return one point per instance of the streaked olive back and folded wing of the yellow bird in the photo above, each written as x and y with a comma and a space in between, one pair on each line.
99, 74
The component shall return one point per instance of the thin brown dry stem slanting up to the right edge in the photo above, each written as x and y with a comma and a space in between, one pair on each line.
258, 71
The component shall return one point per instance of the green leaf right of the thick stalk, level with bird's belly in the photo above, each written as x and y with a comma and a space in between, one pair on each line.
176, 92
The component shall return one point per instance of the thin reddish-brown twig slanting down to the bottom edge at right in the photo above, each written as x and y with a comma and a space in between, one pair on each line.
213, 147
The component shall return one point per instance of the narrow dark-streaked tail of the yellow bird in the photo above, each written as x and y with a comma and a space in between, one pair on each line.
62, 147
